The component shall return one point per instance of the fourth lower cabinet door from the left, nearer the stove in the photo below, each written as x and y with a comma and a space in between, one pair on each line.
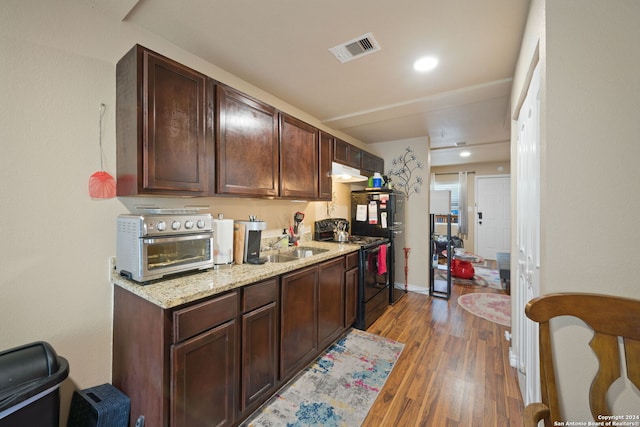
330, 301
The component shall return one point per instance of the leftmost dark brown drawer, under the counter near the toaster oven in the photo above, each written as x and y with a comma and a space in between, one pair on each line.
192, 320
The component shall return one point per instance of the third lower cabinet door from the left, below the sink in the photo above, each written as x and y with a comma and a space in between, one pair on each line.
298, 320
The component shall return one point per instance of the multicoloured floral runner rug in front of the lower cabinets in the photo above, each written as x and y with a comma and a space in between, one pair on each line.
338, 389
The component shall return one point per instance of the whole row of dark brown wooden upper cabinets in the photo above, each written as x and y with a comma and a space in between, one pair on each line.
182, 133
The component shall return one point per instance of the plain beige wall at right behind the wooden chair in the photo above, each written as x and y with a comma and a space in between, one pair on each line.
589, 134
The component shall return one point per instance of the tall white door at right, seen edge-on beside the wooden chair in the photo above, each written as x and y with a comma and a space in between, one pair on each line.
527, 277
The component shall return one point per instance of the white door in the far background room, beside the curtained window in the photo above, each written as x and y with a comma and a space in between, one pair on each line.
493, 215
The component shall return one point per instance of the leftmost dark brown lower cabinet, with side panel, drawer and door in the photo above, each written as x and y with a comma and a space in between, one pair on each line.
178, 366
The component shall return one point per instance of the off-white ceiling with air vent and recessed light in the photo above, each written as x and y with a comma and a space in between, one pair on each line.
282, 47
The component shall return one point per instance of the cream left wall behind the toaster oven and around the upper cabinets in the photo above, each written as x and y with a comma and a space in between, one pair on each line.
58, 65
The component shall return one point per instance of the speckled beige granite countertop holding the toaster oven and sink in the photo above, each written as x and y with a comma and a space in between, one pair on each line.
173, 292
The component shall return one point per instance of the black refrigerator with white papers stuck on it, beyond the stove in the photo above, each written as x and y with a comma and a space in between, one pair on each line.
381, 213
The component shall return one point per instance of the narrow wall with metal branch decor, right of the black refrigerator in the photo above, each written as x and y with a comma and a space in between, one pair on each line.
417, 211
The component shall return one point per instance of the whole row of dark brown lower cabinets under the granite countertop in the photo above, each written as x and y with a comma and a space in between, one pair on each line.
214, 361
